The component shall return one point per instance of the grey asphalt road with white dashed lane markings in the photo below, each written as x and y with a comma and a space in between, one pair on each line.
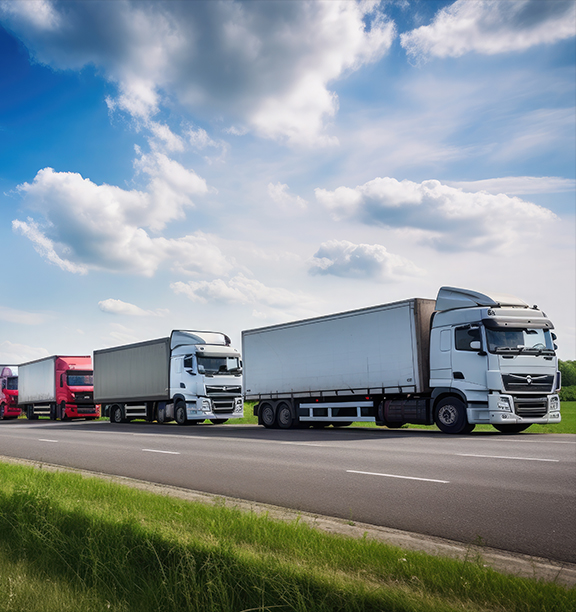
512, 492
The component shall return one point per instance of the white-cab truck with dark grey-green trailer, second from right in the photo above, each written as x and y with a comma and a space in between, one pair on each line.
188, 377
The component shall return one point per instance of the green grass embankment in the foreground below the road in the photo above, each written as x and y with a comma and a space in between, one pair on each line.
69, 543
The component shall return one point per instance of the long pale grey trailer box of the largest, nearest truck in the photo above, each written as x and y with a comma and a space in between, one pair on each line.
364, 351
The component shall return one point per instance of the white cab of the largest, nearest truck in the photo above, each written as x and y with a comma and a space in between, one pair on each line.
492, 360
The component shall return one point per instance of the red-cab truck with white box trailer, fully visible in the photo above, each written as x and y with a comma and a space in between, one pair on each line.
58, 386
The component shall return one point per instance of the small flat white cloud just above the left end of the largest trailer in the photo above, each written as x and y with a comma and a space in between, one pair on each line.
237, 290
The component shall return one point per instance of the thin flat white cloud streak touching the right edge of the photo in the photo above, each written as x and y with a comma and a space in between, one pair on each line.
518, 185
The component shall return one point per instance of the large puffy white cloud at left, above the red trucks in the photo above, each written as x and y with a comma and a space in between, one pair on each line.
104, 227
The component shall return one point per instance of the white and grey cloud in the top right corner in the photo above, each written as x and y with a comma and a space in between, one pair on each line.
490, 27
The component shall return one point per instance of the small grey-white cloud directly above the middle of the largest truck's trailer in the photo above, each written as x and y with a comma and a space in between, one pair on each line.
346, 259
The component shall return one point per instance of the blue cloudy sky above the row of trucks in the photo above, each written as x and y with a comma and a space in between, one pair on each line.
227, 165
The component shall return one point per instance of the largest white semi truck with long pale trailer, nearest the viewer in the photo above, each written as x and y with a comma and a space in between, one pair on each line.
464, 359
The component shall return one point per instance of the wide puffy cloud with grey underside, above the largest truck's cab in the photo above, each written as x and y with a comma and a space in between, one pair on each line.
445, 217
